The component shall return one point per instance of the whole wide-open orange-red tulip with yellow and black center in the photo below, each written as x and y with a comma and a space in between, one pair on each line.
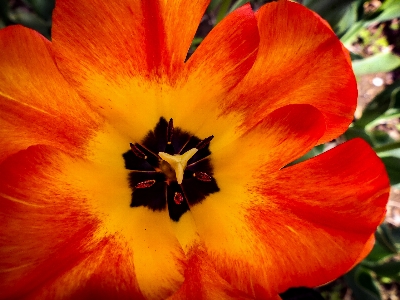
127, 172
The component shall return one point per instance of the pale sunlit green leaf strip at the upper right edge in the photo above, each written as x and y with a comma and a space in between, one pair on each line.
381, 62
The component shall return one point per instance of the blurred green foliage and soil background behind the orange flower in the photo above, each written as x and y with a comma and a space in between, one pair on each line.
371, 32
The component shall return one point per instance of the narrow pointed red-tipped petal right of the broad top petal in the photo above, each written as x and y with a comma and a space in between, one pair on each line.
214, 69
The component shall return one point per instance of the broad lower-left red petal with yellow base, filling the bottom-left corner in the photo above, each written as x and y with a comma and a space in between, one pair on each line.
69, 220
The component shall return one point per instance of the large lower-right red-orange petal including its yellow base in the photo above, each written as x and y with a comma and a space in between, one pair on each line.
303, 225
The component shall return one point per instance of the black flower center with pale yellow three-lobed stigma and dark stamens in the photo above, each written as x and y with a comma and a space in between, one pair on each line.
178, 177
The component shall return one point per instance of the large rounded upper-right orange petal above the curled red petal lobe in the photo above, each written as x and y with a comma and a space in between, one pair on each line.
300, 60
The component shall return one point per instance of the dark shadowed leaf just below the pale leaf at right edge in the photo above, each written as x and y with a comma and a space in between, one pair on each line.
387, 99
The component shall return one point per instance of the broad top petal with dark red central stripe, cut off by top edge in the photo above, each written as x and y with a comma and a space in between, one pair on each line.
123, 56
